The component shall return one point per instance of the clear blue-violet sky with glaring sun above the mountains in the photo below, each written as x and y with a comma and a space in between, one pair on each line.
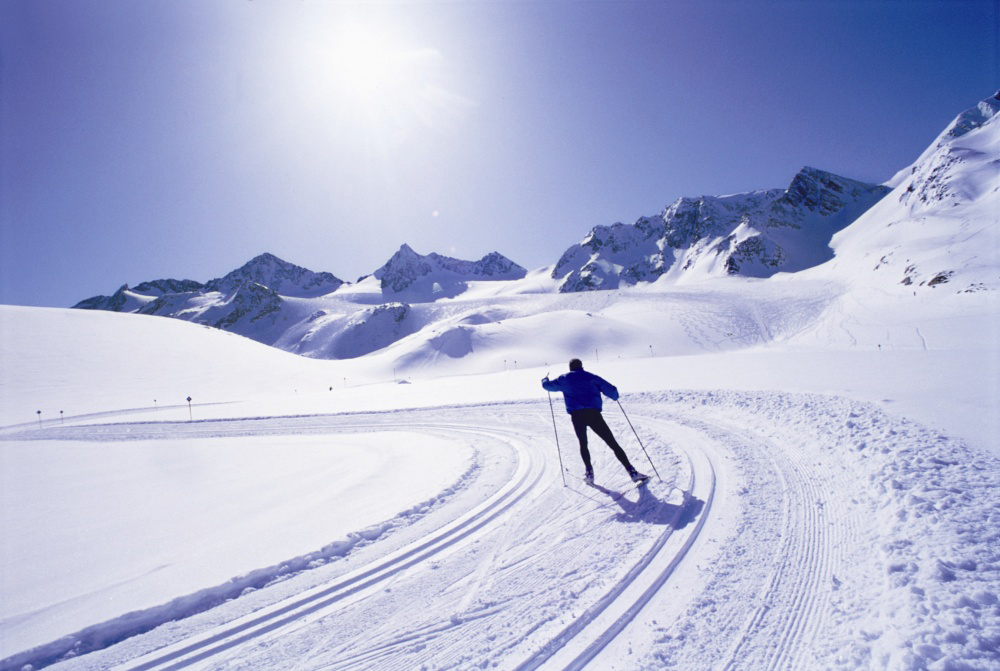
180, 138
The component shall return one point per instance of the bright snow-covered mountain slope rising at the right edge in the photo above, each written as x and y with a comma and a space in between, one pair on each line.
940, 225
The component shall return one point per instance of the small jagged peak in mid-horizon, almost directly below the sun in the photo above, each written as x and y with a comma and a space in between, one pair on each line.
436, 276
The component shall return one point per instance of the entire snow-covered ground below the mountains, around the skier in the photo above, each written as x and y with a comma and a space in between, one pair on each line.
827, 494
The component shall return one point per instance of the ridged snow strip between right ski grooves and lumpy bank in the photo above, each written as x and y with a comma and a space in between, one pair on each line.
793, 531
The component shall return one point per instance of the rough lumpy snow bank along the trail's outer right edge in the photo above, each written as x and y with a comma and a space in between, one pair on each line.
931, 513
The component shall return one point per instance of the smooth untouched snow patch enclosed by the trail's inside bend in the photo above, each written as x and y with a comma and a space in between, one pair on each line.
138, 522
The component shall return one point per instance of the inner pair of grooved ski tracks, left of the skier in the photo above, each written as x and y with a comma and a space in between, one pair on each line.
311, 603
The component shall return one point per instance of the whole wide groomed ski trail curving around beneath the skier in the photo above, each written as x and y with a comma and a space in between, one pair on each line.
526, 573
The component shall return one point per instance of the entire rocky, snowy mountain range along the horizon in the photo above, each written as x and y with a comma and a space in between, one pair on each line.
932, 224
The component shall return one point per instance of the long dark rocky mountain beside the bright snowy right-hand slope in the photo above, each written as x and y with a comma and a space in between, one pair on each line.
755, 234
